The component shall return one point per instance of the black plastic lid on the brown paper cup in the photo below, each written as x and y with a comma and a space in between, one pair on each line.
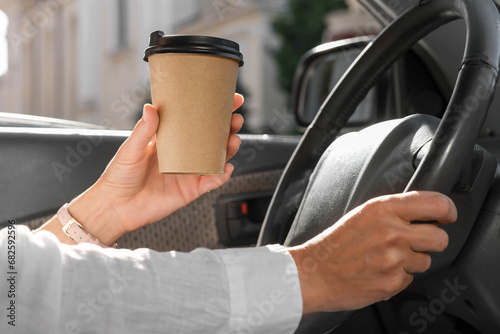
161, 43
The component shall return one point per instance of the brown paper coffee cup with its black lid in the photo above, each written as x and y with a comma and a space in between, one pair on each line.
193, 81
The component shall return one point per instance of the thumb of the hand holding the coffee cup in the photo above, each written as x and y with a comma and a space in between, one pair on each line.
143, 132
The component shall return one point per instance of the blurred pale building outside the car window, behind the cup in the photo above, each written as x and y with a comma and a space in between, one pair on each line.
82, 59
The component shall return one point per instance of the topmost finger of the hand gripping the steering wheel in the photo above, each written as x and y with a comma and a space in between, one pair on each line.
423, 205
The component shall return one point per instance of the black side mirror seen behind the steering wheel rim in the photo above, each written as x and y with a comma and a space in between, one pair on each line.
319, 70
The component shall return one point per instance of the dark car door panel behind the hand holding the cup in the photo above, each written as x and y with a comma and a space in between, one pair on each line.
44, 168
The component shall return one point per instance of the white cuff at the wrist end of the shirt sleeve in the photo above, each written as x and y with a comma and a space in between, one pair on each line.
264, 286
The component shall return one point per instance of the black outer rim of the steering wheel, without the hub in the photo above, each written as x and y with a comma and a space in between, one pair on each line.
465, 113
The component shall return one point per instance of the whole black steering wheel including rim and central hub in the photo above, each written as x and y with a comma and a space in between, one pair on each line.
453, 138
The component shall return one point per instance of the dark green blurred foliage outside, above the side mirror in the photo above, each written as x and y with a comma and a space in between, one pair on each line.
300, 30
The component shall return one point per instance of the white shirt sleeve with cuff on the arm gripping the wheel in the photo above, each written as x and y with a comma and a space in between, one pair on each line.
49, 287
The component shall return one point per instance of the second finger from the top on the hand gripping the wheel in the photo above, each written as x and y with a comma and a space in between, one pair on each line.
427, 238
